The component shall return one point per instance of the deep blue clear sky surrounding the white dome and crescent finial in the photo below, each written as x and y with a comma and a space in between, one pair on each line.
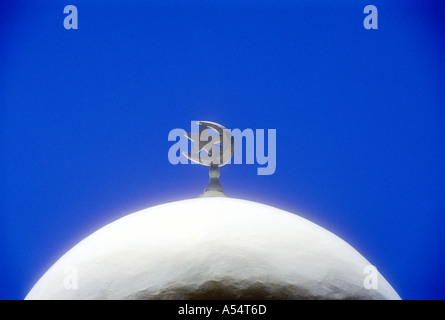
85, 115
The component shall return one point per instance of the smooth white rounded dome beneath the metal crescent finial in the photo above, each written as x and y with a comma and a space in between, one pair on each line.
211, 248
